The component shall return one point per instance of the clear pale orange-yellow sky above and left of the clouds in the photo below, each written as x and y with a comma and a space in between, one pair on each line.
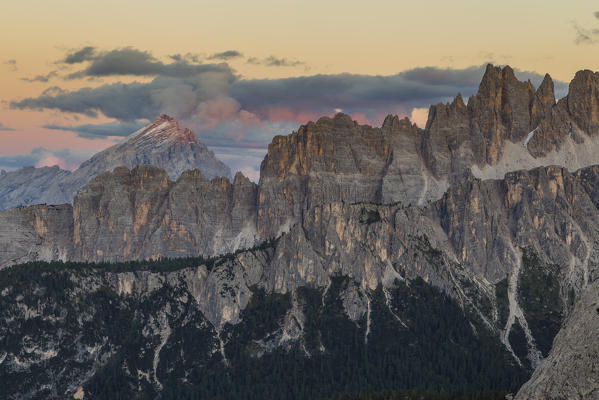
375, 37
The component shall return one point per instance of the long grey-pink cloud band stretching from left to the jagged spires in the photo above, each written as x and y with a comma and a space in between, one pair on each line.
212, 97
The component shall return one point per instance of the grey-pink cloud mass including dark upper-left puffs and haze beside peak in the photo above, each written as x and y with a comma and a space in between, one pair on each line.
229, 112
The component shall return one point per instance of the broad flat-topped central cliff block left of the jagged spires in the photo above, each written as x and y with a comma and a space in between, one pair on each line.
338, 160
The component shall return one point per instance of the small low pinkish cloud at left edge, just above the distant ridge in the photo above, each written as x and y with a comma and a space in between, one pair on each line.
41, 157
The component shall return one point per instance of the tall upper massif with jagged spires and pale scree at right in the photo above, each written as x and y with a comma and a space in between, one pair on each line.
506, 126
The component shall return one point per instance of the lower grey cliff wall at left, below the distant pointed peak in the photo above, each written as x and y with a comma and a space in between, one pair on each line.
135, 214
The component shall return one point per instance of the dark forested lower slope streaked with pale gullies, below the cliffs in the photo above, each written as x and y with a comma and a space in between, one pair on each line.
212, 331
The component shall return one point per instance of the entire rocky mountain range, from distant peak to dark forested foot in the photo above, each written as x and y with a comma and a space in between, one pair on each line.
356, 241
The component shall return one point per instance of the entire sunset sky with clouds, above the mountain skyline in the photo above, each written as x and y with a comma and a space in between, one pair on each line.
78, 76
